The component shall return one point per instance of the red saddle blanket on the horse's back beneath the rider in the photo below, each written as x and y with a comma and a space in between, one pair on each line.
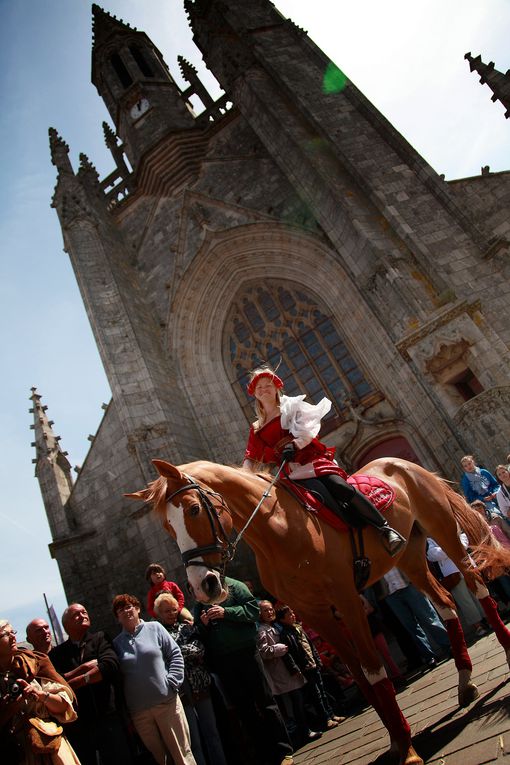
377, 491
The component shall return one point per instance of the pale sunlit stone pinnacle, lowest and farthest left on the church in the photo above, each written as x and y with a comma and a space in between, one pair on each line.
52, 468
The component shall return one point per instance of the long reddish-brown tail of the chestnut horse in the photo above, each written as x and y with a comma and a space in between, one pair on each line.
489, 555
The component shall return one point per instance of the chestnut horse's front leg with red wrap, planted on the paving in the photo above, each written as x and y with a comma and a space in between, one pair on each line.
356, 647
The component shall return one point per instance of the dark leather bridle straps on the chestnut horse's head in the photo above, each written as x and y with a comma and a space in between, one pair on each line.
221, 543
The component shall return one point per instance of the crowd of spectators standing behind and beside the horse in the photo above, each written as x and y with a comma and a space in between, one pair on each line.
241, 680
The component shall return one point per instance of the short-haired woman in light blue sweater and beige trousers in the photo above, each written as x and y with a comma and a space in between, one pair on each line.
152, 670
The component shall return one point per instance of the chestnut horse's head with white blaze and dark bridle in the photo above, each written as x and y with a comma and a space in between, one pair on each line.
195, 516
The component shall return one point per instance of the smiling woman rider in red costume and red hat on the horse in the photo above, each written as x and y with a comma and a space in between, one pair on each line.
286, 430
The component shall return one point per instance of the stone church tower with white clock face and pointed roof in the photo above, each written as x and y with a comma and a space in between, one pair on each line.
132, 78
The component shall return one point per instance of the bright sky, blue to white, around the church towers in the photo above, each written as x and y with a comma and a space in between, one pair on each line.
406, 57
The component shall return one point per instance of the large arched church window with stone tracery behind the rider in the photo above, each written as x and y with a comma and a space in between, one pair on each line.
280, 324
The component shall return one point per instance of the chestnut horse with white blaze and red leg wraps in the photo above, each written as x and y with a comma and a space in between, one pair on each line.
309, 565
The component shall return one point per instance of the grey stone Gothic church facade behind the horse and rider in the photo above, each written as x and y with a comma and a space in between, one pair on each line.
287, 222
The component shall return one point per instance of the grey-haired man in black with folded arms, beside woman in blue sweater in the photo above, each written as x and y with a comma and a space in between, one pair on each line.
89, 663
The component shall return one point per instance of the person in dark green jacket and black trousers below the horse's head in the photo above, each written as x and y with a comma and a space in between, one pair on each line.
229, 633
